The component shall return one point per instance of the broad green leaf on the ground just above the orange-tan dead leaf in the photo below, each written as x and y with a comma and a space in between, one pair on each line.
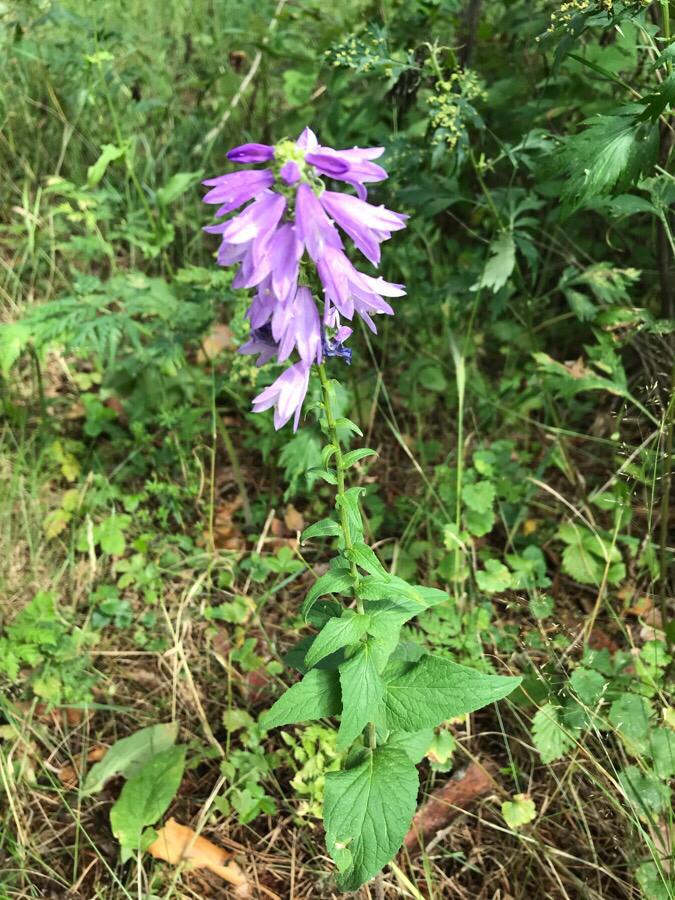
146, 796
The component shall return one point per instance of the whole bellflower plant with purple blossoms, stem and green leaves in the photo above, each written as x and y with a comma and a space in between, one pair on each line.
289, 245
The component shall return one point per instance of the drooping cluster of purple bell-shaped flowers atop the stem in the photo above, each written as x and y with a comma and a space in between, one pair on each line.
289, 212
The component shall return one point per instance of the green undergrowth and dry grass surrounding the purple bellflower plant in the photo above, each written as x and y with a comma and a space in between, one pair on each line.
521, 402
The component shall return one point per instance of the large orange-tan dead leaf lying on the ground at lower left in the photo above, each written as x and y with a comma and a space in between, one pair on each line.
177, 843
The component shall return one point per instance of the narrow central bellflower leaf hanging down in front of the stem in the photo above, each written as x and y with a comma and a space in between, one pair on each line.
362, 693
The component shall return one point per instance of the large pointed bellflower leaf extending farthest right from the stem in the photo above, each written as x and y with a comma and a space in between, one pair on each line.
436, 689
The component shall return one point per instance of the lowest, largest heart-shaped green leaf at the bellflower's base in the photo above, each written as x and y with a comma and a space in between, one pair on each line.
367, 811
